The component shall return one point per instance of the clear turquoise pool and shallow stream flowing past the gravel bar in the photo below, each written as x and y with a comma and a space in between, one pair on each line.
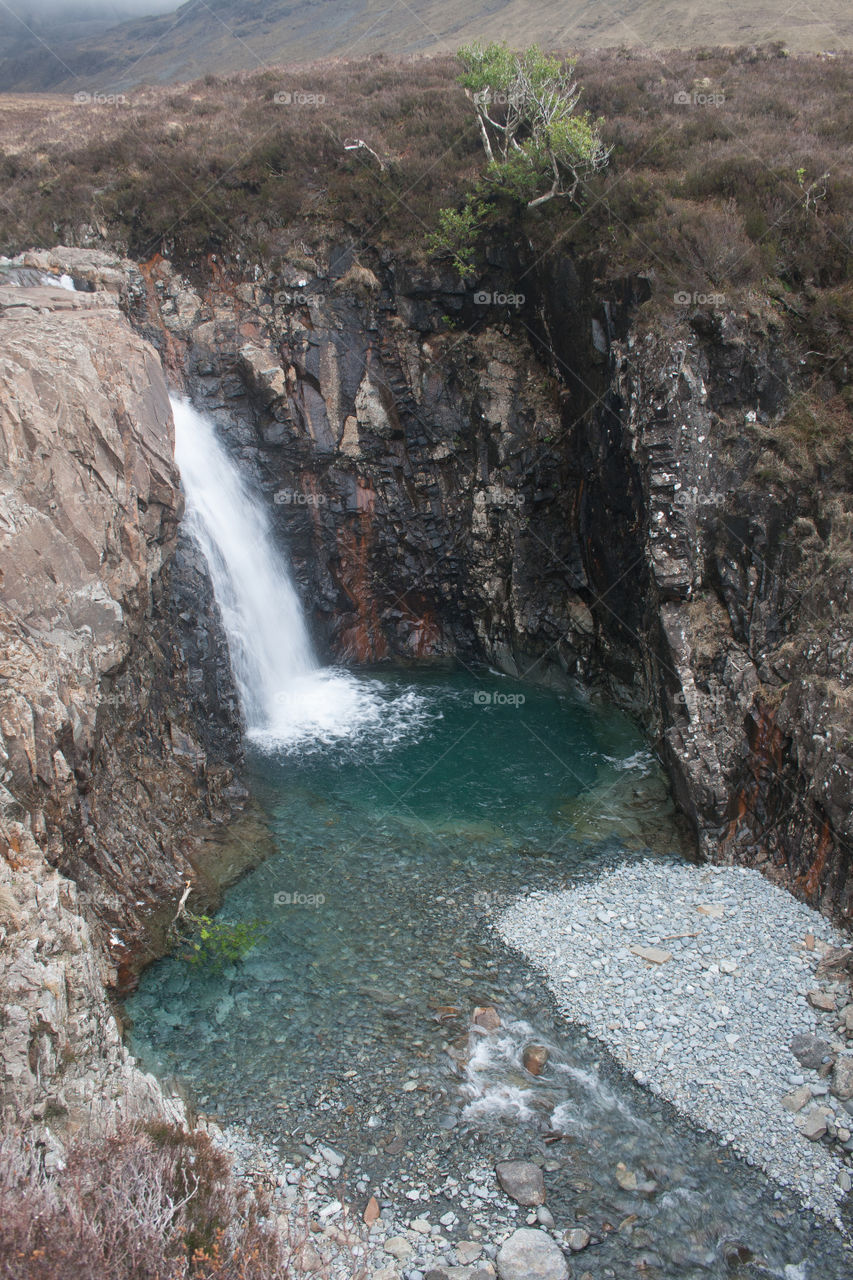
352, 1022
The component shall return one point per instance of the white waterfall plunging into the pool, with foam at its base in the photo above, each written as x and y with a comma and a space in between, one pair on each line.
289, 700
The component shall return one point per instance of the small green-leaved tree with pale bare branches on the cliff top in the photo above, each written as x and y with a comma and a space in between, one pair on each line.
532, 134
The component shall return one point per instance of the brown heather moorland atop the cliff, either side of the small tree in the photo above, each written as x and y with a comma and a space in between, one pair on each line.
727, 190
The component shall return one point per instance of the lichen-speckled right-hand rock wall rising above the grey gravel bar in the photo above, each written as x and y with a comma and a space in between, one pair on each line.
747, 630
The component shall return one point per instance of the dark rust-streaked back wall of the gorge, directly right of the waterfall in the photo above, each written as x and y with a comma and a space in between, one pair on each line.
416, 478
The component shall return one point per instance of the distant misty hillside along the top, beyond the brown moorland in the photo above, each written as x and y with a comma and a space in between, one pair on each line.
236, 35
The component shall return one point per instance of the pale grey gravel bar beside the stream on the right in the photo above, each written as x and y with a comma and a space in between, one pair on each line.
704, 1009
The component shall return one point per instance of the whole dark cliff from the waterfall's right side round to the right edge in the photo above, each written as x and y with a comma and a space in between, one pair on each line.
568, 486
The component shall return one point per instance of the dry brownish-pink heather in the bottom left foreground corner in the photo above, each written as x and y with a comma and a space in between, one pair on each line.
154, 1204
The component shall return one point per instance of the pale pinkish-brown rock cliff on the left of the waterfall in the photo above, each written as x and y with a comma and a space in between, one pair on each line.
110, 781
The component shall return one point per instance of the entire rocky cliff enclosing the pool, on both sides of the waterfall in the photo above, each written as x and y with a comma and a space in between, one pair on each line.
564, 486
